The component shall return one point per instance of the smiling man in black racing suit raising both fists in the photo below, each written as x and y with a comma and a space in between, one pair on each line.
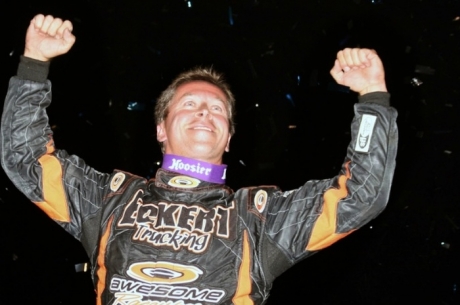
184, 237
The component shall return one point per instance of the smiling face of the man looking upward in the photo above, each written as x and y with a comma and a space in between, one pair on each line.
197, 123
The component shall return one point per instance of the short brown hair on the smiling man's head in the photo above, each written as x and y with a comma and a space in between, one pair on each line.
208, 75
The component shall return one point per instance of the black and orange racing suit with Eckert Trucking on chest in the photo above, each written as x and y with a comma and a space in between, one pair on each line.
156, 242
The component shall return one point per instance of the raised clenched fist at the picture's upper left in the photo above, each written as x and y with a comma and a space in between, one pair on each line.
48, 37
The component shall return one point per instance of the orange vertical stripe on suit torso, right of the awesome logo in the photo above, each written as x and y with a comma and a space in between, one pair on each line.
244, 277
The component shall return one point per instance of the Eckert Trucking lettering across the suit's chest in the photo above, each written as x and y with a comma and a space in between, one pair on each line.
177, 226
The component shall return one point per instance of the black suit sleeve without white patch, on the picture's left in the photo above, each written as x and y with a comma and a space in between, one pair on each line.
63, 186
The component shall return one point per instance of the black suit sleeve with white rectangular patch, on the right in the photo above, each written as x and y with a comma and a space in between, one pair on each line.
312, 217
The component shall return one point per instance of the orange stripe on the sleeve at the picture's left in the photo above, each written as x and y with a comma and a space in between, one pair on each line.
55, 202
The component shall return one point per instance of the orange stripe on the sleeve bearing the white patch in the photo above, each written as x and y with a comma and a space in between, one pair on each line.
323, 234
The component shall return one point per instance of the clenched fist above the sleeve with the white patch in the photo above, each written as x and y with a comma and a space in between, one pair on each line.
359, 69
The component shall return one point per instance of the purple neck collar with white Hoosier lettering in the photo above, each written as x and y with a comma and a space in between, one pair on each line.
197, 169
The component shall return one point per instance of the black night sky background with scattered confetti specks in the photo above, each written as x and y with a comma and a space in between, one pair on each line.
276, 54
